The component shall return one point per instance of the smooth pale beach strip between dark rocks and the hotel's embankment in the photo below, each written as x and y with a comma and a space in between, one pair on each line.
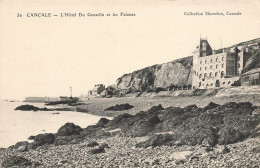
97, 106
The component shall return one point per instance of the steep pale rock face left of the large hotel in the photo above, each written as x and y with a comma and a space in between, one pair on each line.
177, 73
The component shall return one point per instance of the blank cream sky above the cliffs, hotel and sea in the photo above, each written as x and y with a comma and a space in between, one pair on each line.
45, 56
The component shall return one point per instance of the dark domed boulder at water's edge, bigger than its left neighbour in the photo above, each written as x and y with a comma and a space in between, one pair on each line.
69, 129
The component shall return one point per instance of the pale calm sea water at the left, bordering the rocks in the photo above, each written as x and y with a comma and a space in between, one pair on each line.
17, 125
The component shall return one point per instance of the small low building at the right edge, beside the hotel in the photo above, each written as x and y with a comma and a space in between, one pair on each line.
251, 77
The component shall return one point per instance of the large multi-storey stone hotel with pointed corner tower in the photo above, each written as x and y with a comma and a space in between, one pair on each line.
215, 68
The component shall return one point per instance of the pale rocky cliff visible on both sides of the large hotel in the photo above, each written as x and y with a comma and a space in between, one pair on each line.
178, 72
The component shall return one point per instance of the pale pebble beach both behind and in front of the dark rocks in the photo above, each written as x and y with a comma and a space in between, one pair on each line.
121, 150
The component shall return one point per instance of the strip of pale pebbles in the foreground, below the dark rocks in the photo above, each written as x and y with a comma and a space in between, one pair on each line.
123, 153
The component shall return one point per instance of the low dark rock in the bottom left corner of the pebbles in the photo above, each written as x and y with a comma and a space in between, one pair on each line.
16, 161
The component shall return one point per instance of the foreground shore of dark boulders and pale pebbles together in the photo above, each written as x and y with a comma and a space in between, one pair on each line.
213, 136
